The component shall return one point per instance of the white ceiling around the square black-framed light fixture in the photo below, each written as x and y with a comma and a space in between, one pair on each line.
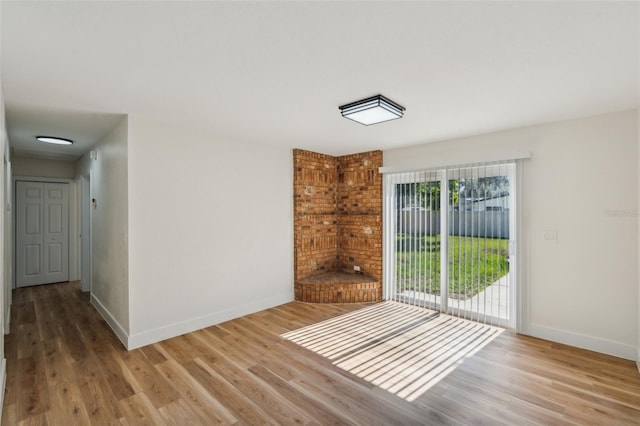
276, 72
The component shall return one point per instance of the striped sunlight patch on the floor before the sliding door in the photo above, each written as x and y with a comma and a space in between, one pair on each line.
400, 348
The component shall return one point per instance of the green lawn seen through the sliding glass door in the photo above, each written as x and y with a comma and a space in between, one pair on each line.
474, 263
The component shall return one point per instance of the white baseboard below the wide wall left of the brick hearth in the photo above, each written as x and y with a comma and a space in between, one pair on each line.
172, 330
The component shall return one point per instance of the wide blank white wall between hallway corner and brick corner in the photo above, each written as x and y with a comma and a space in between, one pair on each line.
210, 225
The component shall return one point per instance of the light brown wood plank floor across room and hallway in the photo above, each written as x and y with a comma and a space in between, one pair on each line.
296, 364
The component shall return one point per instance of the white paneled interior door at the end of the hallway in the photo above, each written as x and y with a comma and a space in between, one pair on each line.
42, 233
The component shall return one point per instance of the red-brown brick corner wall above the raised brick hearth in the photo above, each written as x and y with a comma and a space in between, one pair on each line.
337, 213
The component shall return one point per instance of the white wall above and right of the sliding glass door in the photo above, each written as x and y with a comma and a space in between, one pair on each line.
581, 181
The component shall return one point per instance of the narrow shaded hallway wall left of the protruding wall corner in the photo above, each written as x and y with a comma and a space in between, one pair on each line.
109, 243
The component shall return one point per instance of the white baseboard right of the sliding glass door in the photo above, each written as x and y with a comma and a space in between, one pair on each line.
591, 343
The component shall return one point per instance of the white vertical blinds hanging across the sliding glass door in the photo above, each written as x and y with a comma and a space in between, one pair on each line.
449, 238
